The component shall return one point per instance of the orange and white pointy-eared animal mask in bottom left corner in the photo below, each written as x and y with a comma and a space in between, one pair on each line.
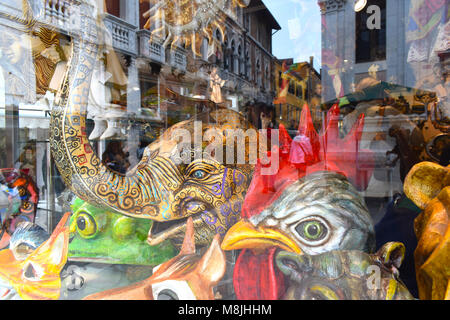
35, 276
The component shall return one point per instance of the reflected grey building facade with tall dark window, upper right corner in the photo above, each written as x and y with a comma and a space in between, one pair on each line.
398, 41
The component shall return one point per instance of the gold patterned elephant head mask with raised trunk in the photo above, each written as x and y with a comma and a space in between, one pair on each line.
161, 187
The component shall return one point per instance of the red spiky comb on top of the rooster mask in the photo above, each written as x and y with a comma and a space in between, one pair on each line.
310, 152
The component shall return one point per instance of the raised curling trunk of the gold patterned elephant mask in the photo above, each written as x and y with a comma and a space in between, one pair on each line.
82, 171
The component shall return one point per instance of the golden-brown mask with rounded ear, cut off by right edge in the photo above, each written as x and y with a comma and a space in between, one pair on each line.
428, 186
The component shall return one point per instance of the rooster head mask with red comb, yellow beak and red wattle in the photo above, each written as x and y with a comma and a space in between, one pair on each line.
308, 206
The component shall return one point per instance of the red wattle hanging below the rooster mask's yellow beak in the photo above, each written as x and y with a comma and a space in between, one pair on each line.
256, 278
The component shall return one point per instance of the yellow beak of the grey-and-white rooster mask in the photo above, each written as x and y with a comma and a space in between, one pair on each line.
243, 235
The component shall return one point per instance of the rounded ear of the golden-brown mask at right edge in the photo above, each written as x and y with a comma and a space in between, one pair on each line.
424, 182
